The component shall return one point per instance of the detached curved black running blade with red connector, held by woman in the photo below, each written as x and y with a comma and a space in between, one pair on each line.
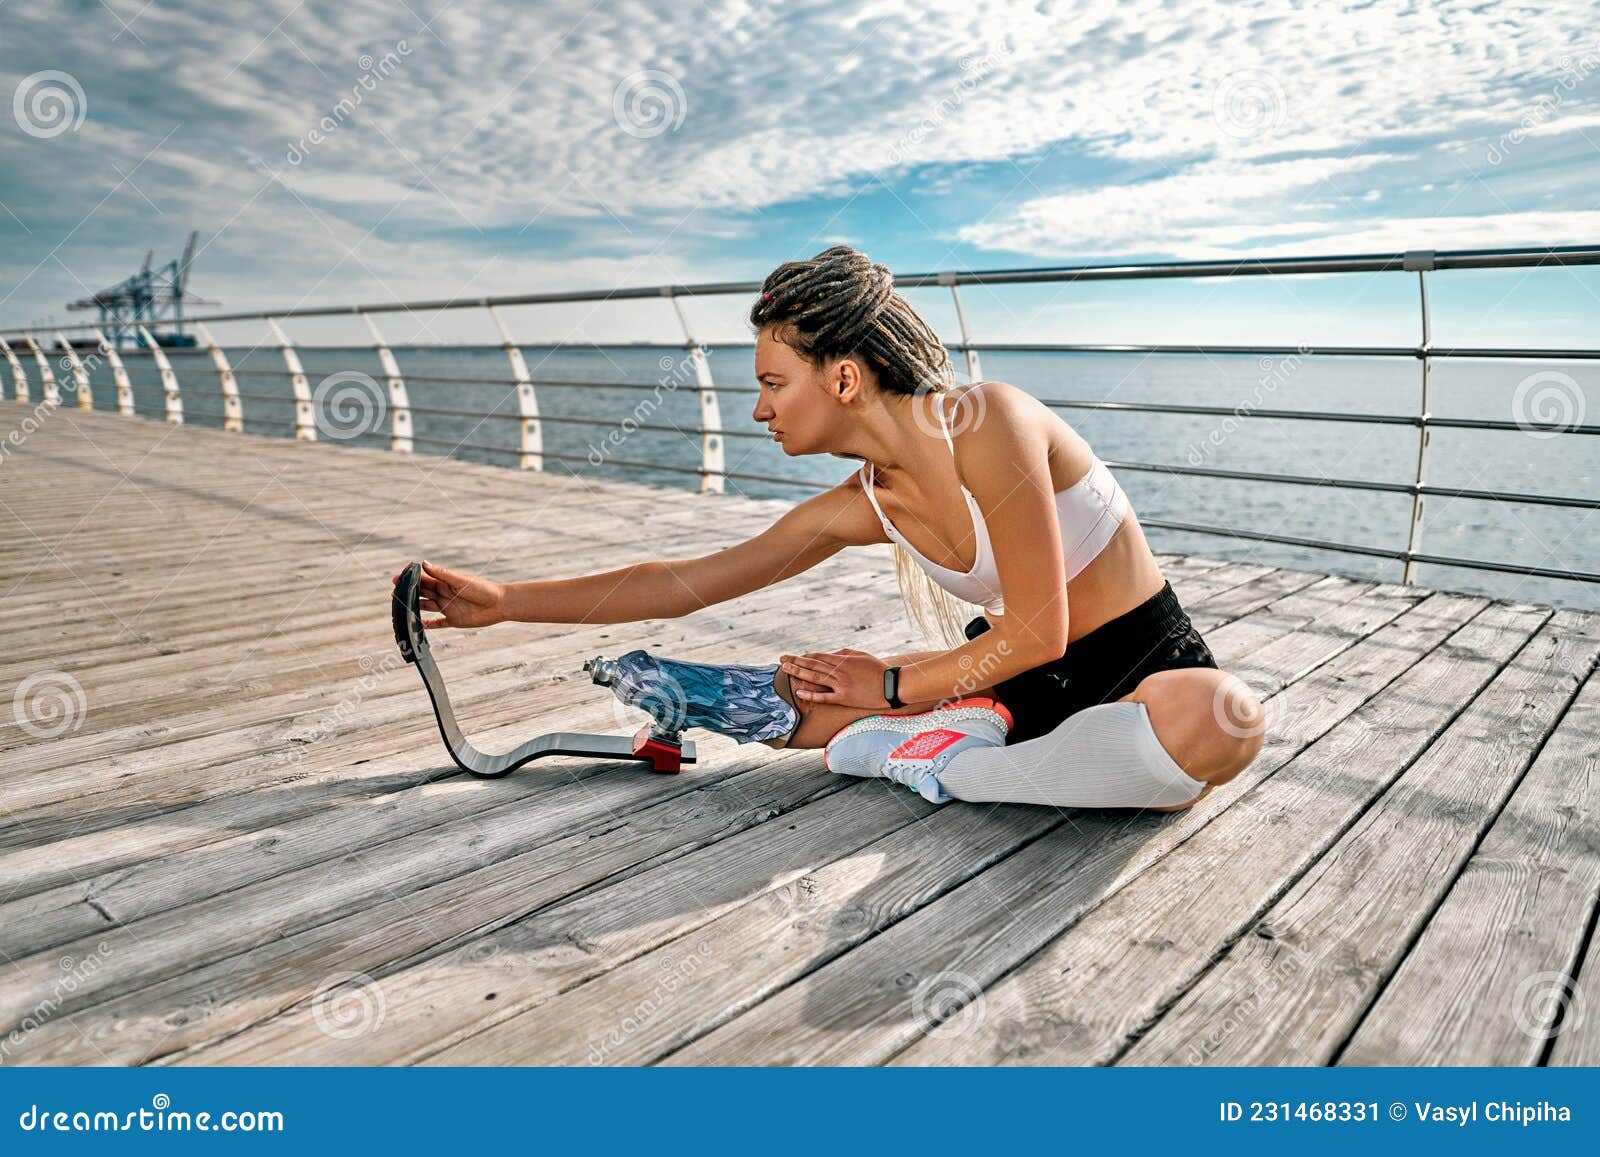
654, 745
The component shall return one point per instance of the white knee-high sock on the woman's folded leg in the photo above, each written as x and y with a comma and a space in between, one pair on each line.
1102, 758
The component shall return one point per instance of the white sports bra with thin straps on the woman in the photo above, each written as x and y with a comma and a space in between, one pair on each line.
1090, 511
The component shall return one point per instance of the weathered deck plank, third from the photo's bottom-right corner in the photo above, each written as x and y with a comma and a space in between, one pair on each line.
1350, 924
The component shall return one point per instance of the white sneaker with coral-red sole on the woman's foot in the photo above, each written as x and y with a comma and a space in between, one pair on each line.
913, 750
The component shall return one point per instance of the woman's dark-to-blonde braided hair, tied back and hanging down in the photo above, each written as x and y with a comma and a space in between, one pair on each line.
842, 305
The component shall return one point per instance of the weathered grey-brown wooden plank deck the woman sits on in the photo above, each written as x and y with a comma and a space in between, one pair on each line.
247, 844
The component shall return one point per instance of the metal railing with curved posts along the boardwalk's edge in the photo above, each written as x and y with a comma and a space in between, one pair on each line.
713, 470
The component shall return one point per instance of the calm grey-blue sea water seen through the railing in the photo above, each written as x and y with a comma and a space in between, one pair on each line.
607, 431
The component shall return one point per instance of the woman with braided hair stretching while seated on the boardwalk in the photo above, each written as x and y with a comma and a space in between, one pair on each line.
1095, 687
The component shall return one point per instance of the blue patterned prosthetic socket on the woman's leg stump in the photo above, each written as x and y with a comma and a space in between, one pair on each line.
738, 702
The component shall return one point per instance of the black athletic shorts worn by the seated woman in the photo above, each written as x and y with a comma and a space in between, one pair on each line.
1102, 667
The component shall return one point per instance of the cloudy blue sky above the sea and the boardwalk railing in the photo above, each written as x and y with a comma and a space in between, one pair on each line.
372, 151
